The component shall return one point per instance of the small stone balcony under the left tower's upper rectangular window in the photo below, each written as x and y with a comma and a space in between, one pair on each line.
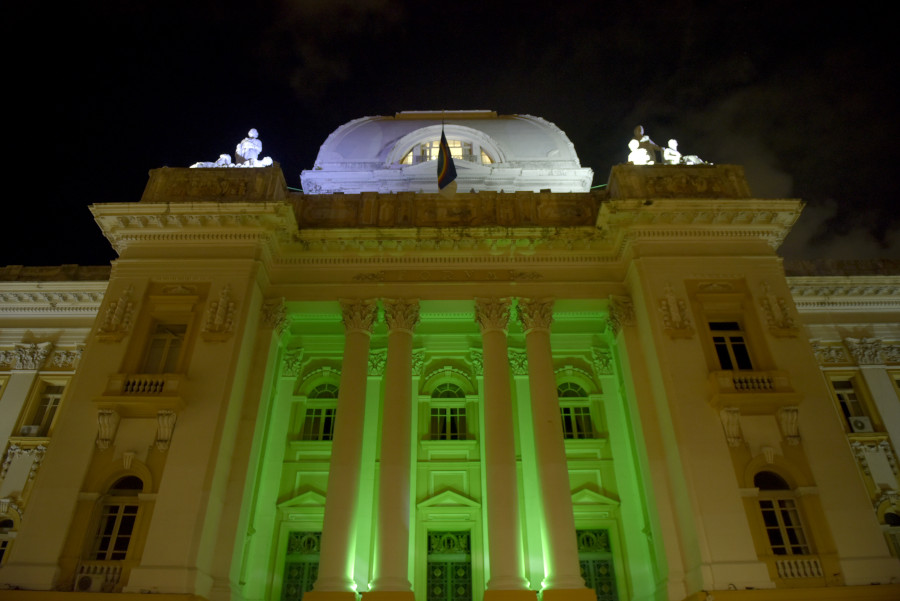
142, 395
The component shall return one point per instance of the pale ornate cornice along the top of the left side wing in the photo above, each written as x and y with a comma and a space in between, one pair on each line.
51, 298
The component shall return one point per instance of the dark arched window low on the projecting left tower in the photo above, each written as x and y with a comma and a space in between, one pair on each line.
117, 520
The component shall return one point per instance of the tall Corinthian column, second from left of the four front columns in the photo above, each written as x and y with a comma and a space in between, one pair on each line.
392, 545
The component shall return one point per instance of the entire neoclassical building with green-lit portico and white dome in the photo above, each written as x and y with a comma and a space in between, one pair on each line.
532, 387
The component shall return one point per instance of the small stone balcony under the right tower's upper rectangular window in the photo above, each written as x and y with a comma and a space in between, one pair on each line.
754, 392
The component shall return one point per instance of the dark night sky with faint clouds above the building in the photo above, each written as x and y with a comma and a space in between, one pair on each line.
102, 92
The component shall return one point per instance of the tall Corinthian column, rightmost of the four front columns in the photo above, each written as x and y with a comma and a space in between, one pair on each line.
563, 579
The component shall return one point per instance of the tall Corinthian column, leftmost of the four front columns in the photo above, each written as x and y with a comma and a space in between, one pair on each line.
336, 556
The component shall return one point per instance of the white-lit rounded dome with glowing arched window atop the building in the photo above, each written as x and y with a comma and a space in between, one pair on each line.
396, 154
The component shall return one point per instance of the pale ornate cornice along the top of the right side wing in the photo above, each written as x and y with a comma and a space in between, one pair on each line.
845, 293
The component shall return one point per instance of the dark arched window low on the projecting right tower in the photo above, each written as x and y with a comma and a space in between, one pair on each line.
780, 515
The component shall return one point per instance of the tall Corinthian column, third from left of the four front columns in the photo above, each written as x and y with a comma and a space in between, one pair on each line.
502, 490
